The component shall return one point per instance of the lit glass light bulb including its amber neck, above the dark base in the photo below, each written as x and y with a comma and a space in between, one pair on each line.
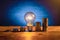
29, 18
